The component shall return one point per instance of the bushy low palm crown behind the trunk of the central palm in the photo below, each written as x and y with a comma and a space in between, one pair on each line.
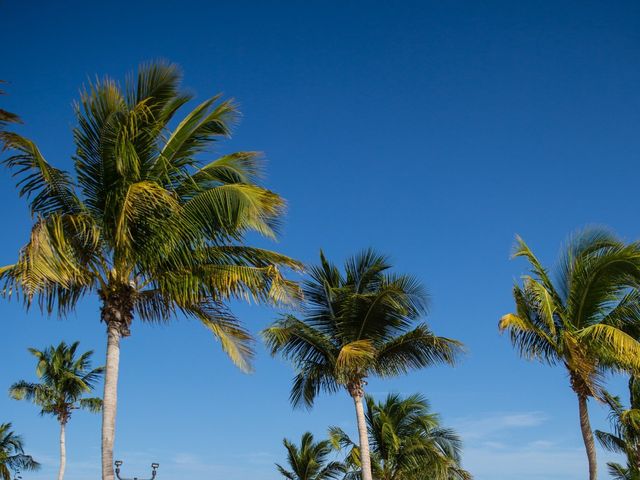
407, 442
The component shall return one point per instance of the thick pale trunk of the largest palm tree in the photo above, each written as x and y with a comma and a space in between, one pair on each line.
110, 400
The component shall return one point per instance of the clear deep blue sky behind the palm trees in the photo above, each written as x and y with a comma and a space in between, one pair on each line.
432, 131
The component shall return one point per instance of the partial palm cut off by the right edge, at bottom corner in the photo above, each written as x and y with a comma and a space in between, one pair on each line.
625, 438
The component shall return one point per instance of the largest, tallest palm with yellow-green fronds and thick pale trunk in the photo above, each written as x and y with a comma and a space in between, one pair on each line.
144, 223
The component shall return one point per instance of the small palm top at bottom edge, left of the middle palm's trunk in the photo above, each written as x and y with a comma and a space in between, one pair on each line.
310, 460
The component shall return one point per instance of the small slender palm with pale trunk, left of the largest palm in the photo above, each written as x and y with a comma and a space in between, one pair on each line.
65, 379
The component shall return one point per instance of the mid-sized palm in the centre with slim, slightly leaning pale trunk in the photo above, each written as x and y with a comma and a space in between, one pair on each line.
357, 324
